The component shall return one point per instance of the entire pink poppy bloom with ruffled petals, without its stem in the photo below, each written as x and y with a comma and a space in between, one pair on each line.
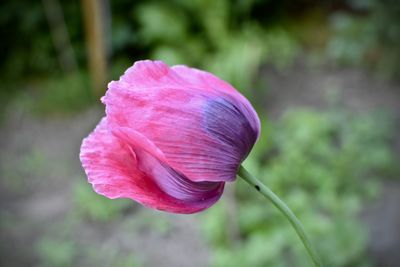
171, 138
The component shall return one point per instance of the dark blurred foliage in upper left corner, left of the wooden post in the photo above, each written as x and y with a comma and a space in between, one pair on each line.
29, 48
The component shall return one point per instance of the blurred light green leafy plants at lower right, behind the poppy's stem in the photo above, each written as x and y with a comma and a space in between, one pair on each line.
325, 166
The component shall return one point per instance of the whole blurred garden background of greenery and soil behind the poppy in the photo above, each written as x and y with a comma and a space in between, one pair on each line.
323, 76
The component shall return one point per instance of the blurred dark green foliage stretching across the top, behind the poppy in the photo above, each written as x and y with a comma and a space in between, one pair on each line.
229, 38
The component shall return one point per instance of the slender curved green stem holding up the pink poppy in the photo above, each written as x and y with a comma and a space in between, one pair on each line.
266, 192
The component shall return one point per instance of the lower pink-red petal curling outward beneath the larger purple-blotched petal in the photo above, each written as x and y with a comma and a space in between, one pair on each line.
120, 169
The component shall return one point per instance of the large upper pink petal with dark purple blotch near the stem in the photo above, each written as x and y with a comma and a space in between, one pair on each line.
203, 133
